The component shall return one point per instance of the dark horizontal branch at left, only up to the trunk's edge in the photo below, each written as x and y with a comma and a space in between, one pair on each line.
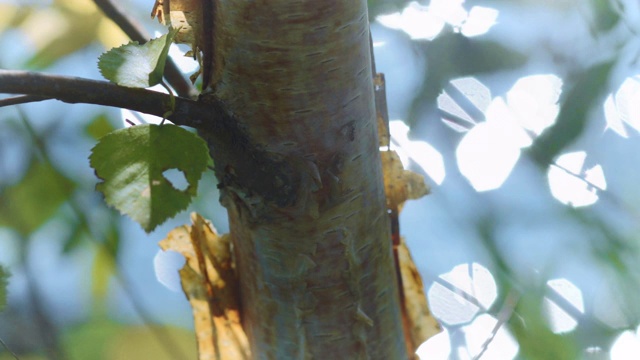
78, 90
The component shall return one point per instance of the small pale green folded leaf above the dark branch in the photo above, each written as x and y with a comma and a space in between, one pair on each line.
135, 65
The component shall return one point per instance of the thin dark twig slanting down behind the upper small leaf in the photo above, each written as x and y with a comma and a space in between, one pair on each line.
136, 32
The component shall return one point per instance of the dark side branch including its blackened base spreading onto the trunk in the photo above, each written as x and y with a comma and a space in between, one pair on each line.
224, 134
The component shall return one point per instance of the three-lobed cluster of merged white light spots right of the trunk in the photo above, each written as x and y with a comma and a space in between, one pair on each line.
497, 129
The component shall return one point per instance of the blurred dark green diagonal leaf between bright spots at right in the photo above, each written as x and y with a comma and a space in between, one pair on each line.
573, 115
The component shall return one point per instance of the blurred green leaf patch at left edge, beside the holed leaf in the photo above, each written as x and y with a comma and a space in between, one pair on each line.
28, 204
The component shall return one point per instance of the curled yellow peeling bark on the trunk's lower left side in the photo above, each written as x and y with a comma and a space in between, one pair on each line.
209, 281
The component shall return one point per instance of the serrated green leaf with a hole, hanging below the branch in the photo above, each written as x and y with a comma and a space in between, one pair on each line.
131, 162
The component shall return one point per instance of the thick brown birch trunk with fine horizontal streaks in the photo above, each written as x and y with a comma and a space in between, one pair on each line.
315, 266
